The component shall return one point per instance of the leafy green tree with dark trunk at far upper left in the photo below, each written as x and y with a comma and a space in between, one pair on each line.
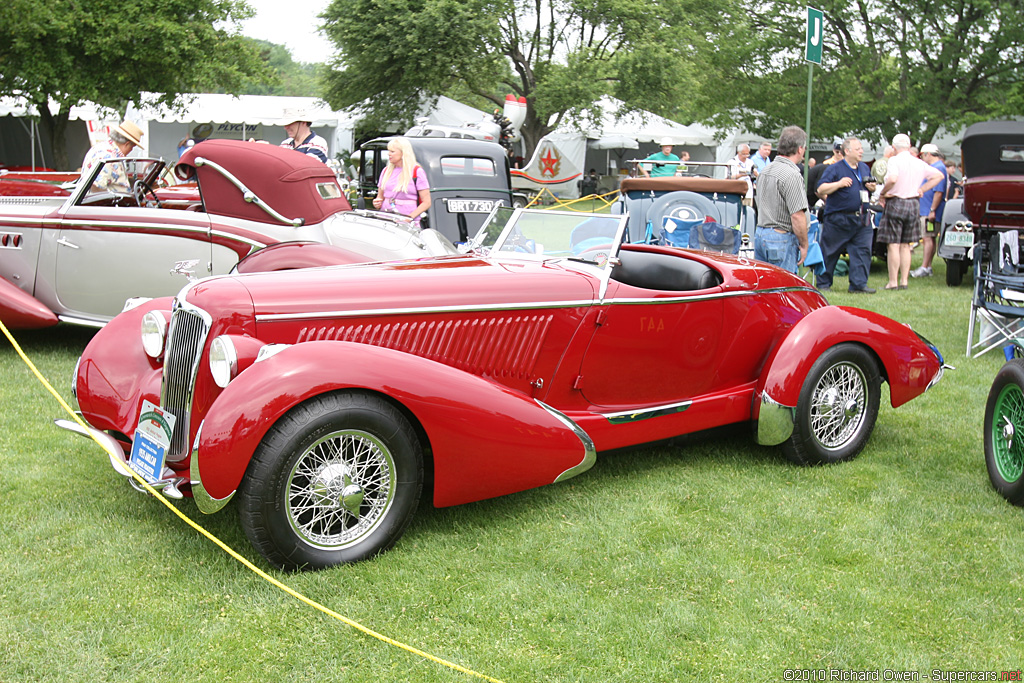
107, 52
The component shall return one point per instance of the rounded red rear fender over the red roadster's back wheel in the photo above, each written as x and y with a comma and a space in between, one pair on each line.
908, 363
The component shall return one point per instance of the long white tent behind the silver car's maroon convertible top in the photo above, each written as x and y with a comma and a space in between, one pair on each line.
220, 116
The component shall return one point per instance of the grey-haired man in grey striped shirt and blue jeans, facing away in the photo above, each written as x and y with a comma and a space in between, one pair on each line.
782, 233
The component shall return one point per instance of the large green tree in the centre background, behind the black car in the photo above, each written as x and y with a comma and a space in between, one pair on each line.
561, 55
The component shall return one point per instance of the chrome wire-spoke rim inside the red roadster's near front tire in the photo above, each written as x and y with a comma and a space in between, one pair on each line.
340, 489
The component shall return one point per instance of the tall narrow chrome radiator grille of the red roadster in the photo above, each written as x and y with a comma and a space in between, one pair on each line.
186, 339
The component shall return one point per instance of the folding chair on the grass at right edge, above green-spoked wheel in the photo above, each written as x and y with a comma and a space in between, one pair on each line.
998, 304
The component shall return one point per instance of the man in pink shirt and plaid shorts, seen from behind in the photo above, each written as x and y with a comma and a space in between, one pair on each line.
907, 180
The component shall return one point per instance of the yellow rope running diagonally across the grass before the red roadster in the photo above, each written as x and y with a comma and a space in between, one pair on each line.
252, 568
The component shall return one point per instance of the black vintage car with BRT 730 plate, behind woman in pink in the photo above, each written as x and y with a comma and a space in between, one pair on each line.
467, 179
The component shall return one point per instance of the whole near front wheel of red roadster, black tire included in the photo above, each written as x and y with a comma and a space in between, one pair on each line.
336, 480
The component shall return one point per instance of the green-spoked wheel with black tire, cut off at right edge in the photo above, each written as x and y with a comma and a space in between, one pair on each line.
1005, 433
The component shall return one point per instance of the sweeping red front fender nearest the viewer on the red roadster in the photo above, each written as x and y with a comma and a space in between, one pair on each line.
487, 440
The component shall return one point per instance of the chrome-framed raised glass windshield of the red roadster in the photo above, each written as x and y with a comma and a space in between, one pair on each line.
591, 238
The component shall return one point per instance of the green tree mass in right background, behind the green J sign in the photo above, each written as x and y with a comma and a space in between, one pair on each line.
899, 66
